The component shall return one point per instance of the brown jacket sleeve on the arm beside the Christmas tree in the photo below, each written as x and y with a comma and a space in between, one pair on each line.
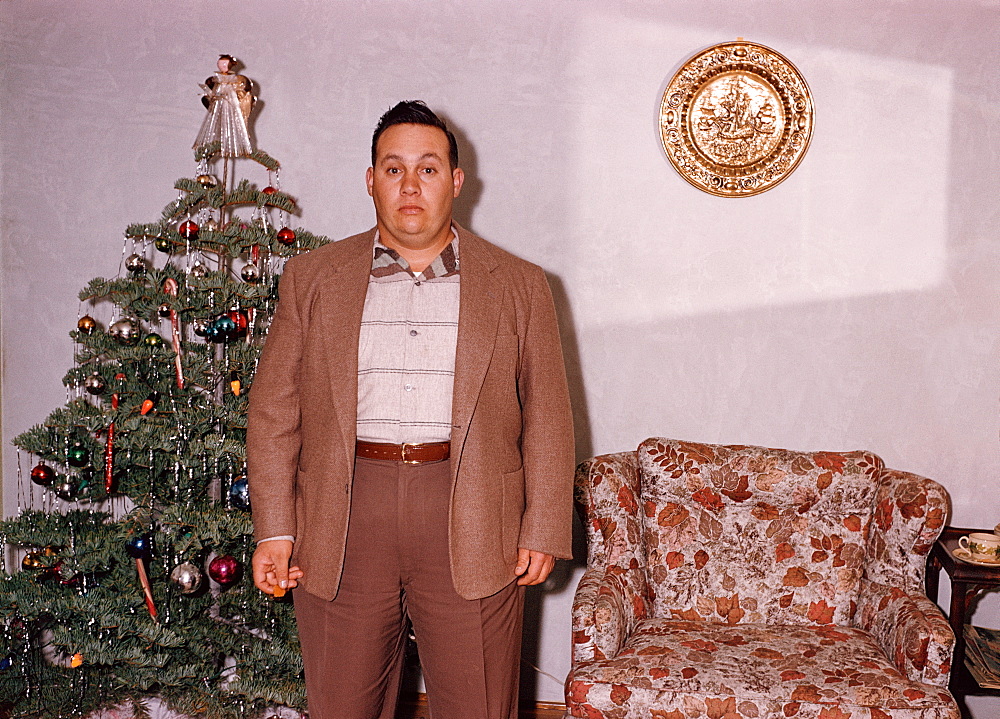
274, 420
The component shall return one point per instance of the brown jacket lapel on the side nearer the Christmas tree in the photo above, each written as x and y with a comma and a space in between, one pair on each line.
339, 307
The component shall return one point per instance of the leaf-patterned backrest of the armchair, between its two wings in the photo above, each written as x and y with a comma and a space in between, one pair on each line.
744, 534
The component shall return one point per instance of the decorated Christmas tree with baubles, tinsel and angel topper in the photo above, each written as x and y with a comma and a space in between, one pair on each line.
130, 575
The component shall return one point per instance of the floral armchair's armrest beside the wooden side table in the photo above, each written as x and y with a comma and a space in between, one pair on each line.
911, 630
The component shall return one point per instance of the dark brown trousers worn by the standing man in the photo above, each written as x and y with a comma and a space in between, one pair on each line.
397, 568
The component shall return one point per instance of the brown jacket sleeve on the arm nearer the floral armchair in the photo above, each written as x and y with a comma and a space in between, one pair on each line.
547, 446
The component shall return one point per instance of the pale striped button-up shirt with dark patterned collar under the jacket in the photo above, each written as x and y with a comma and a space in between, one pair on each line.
406, 352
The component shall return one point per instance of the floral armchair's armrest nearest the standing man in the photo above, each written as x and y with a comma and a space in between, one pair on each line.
607, 606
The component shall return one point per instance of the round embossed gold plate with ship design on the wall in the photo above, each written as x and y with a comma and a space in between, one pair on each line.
736, 119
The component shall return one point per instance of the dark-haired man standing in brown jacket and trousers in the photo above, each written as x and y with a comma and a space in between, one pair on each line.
410, 445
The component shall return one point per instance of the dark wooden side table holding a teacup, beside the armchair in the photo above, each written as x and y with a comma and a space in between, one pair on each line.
967, 580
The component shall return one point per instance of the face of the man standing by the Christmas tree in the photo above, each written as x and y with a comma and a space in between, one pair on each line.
413, 185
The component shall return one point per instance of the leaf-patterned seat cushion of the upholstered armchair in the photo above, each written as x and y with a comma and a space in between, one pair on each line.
683, 669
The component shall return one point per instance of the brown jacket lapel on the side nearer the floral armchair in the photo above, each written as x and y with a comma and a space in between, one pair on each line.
478, 317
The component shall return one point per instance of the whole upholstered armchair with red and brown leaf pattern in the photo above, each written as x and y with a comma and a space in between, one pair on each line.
732, 582
